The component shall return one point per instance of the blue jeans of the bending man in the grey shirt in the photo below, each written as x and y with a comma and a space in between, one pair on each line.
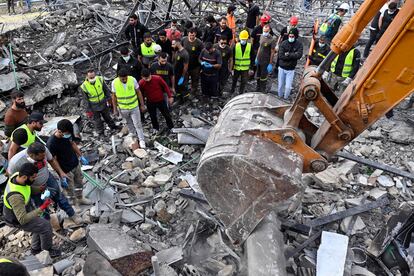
56, 195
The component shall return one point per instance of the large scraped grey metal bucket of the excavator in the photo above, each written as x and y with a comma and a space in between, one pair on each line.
242, 175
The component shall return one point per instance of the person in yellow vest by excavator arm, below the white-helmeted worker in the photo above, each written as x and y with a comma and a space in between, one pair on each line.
343, 69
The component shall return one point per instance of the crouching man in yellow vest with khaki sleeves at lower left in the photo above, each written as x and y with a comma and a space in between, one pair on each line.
18, 211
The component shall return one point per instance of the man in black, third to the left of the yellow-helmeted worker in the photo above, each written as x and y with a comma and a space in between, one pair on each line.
193, 45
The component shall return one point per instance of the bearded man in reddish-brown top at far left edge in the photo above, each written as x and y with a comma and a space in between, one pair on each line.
16, 115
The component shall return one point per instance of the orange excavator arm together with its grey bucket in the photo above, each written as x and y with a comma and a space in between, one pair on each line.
255, 155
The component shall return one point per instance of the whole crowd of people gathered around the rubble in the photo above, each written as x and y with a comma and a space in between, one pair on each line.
152, 73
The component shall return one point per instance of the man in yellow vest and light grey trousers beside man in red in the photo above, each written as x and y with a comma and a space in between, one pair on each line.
127, 97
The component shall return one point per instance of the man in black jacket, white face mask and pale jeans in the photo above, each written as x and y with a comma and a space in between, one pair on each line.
290, 51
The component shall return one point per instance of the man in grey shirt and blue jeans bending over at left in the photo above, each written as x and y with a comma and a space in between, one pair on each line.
40, 156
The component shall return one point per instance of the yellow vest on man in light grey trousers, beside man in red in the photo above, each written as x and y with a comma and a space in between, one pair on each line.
126, 97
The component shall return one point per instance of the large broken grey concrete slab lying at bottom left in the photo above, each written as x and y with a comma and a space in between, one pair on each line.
120, 244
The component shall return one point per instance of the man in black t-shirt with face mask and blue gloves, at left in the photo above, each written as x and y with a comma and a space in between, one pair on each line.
68, 155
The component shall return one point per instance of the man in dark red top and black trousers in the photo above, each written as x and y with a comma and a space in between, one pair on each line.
153, 88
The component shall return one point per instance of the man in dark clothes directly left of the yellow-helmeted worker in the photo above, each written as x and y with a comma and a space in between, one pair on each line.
227, 63
